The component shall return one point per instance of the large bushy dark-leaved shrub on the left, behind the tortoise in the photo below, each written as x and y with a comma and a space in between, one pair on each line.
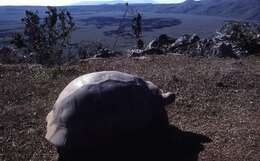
48, 37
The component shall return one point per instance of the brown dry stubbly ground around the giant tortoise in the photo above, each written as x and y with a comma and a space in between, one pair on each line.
219, 98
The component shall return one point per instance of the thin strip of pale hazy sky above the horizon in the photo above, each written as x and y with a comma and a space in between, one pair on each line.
67, 2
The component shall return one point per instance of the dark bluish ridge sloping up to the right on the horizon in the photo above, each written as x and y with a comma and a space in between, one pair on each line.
241, 9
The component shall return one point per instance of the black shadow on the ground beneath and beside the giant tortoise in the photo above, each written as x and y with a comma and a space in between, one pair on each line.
179, 146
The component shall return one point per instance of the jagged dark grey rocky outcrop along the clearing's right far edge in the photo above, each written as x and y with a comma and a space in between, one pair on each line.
234, 39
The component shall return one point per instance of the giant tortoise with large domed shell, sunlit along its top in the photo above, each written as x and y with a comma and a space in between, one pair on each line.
100, 109
